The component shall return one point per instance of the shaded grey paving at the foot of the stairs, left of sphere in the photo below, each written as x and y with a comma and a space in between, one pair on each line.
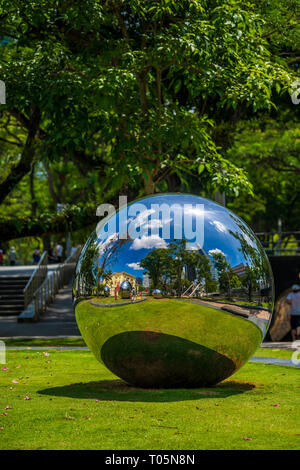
58, 320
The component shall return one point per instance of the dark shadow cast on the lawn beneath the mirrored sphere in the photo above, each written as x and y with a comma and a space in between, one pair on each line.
117, 390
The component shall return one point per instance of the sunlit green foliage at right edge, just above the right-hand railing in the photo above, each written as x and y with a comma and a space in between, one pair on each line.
270, 155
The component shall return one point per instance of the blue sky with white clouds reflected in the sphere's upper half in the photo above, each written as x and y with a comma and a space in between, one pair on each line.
148, 225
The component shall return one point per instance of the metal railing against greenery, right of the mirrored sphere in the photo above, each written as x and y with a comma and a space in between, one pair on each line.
280, 243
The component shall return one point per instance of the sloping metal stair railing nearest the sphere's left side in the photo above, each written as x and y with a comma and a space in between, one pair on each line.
46, 293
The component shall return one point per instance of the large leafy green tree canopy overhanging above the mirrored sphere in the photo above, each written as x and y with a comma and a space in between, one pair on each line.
132, 96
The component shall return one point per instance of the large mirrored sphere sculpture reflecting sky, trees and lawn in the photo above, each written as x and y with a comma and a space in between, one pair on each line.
190, 292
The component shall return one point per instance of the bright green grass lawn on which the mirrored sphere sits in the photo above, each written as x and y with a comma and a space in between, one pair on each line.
75, 403
